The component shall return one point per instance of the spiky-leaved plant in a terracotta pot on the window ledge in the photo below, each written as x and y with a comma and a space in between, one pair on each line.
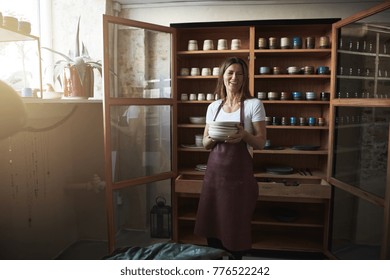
75, 71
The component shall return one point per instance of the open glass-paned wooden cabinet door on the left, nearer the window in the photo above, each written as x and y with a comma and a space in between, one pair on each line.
139, 110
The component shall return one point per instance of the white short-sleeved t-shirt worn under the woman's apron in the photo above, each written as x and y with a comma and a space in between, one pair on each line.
253, 109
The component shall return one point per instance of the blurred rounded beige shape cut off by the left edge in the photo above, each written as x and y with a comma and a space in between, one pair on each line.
13, 115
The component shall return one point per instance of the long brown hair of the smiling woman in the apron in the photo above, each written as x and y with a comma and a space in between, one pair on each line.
221, 89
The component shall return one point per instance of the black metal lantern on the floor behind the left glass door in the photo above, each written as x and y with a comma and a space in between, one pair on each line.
160, 219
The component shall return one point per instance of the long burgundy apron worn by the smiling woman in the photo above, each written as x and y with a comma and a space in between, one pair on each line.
229, 195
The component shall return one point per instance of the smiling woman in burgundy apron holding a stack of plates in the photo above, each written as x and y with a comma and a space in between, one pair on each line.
230, 190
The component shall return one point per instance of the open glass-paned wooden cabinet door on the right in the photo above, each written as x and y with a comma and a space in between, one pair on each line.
360, 110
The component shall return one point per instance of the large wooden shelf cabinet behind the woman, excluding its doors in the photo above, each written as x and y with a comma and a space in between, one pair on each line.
293, 209
